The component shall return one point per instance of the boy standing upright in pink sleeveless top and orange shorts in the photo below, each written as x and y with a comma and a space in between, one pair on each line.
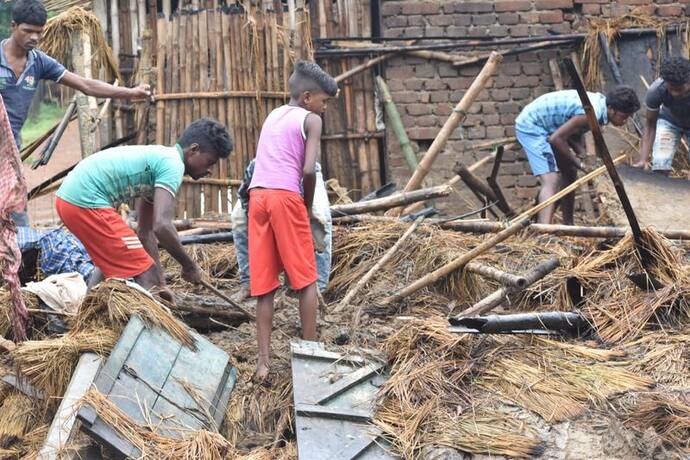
279, 233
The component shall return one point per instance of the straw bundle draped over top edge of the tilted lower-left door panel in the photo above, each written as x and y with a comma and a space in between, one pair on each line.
112, 303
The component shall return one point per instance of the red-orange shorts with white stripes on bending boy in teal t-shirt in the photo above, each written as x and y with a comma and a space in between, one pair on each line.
113, 247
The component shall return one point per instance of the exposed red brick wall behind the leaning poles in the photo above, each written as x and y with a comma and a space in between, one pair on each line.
425, 91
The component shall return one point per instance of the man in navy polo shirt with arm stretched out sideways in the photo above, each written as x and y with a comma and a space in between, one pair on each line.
22, 67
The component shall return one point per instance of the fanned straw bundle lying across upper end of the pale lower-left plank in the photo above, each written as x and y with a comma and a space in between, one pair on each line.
49, 364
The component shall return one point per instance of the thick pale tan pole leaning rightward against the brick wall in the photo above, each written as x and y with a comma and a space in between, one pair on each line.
458, 115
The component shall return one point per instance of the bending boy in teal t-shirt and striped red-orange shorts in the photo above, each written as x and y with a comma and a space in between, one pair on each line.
88, 198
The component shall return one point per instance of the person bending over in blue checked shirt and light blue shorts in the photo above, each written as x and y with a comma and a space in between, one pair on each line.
550, 130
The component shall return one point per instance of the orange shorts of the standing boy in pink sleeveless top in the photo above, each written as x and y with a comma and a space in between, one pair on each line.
279, 239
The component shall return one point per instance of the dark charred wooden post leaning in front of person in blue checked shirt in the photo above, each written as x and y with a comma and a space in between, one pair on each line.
603, 152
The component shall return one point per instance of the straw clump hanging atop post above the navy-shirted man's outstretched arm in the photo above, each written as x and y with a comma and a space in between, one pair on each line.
61, 30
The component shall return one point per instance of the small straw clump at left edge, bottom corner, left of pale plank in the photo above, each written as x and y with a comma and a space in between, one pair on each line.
19, 413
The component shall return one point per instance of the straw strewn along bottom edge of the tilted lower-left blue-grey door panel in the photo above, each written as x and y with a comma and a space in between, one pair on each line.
199, 445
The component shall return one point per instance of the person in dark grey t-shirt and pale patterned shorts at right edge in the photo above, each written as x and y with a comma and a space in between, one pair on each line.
668, 115
